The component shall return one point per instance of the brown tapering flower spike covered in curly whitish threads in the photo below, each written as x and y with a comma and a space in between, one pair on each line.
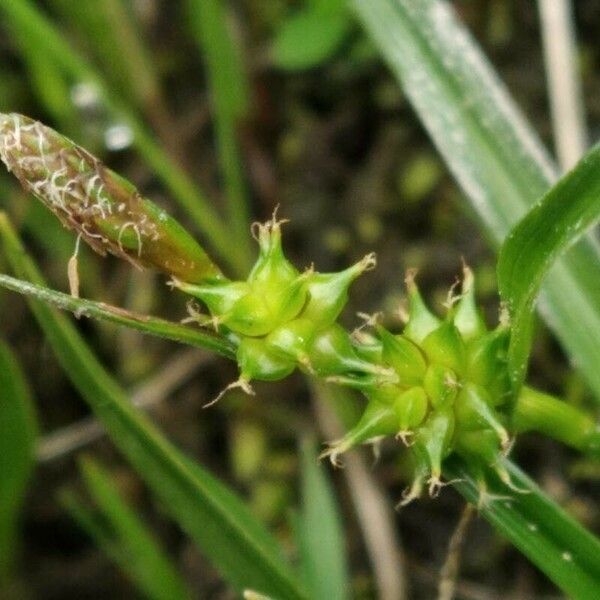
105, 209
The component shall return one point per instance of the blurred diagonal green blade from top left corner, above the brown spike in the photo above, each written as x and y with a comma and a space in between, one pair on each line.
27, 20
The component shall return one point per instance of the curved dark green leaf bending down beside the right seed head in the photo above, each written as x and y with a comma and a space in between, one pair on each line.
557, 221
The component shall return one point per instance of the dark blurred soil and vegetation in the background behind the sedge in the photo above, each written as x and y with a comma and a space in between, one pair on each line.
259, 104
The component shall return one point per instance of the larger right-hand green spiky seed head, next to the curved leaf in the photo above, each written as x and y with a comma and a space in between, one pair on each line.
451, 391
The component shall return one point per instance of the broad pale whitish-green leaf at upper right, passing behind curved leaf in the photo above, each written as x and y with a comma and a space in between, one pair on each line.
489, 147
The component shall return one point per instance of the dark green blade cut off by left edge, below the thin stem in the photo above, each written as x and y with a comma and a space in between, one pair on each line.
18, 431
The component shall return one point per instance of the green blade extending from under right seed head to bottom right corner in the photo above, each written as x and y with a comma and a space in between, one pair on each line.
560, 547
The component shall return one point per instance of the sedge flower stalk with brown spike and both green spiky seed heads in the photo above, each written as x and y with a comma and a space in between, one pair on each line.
443, 386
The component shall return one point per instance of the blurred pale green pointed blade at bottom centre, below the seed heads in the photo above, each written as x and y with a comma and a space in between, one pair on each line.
320, 533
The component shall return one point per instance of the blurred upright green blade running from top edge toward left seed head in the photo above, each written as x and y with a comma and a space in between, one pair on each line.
230, 99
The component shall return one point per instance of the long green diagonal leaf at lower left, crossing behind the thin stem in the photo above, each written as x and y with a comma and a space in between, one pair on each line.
218, 521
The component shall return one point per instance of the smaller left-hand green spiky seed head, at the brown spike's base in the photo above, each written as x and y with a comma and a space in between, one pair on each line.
282, 319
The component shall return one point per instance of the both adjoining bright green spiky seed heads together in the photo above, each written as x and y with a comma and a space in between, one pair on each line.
440, 387
